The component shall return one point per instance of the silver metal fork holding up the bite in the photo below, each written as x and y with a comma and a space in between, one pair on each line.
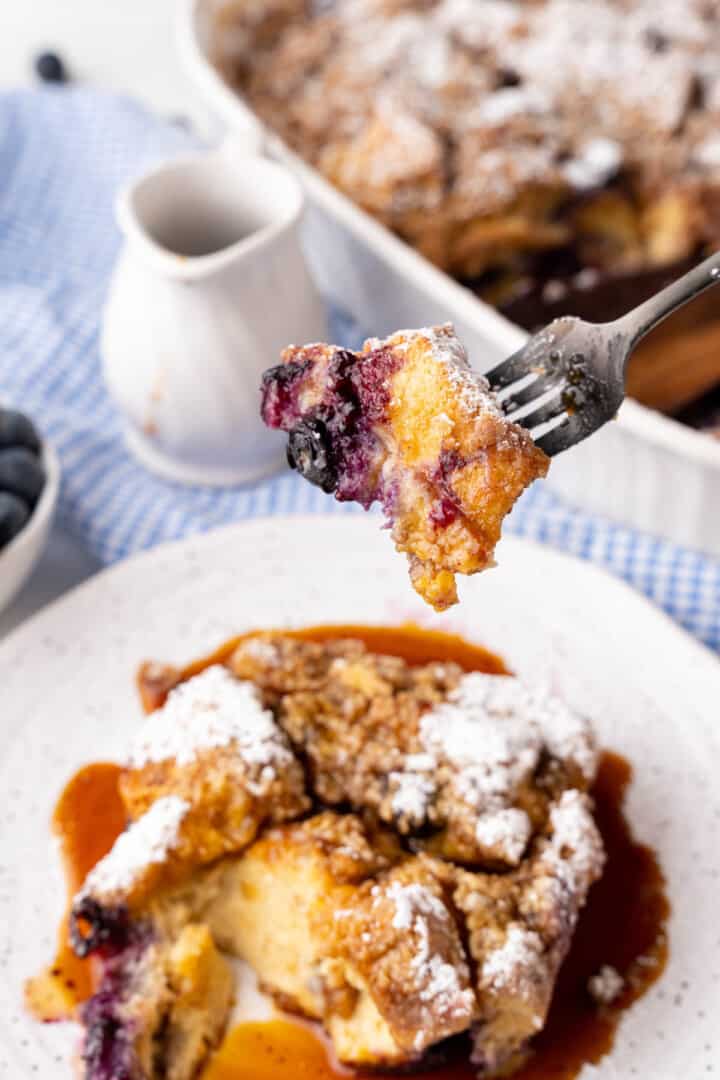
574, 372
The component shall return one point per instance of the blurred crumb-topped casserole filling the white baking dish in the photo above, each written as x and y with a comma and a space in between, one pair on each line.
559, 157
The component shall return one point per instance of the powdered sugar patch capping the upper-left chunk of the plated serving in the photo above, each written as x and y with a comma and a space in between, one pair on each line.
213, 710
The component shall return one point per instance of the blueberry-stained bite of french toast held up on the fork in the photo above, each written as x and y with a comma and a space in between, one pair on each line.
407, 423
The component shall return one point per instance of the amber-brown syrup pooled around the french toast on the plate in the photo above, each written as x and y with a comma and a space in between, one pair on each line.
623, 925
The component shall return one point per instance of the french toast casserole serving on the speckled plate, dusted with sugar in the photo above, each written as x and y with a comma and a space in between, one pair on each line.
400, 853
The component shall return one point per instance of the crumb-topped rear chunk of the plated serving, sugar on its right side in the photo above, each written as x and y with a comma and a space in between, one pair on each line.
471, 763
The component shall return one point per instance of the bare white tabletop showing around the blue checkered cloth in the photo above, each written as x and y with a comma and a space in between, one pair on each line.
127, 47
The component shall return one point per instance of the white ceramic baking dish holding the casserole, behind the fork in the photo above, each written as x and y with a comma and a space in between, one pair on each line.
646, 469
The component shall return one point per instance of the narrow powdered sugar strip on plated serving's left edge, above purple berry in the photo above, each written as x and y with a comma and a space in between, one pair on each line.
147, 842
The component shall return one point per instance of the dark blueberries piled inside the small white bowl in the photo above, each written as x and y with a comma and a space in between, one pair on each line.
22, 474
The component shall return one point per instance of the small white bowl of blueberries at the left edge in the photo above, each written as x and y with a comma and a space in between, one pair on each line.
30, 481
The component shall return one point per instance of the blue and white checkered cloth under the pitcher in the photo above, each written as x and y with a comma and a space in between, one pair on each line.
63, 156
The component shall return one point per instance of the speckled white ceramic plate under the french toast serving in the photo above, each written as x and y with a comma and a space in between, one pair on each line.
66, 697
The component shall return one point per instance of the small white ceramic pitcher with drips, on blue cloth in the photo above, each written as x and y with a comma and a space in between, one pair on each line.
211, 286
